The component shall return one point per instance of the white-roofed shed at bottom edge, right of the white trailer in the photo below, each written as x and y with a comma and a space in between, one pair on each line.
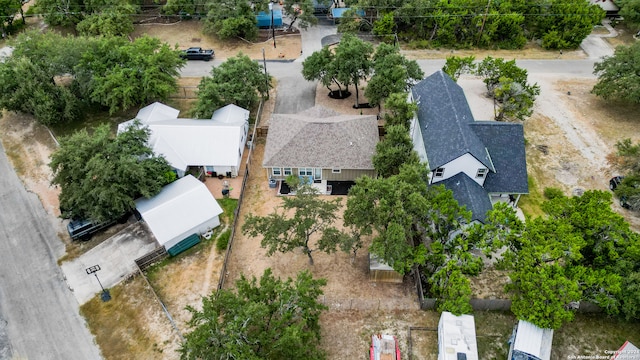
529, 342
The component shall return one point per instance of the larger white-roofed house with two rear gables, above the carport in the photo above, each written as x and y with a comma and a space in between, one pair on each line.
216, 143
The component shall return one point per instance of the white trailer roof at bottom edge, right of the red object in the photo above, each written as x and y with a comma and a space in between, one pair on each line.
457, 337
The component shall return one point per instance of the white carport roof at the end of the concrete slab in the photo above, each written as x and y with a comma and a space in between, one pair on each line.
183, 208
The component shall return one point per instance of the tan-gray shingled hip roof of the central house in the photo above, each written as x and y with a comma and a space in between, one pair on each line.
319, 137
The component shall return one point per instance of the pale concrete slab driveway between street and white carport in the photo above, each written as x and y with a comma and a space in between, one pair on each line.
115, 257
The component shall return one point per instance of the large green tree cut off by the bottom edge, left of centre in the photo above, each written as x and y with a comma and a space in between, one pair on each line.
265, 319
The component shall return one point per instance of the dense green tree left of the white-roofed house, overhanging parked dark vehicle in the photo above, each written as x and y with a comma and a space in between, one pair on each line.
100, 176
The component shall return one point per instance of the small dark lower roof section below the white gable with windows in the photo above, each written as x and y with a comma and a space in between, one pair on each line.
470, 194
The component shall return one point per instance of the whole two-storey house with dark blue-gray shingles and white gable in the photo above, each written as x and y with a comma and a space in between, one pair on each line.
481, 162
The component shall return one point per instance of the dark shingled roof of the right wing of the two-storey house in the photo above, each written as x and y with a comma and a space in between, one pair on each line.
505, 142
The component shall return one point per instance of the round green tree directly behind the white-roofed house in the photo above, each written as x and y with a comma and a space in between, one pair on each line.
239, 80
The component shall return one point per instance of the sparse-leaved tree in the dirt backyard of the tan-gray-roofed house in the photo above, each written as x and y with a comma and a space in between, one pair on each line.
300, 218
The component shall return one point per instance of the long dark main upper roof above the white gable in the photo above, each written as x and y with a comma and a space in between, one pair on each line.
444, 115
